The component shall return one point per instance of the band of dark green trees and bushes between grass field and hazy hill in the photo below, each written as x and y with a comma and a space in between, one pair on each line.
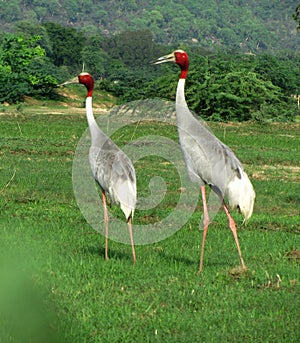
221, 86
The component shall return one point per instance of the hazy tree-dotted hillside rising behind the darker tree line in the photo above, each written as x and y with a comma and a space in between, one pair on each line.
246, 25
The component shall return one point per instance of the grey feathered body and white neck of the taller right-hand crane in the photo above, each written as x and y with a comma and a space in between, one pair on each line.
209, 161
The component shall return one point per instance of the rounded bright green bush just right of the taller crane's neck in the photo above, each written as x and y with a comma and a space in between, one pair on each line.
235, 96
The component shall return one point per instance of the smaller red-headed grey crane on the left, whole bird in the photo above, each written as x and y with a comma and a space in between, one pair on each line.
110, 166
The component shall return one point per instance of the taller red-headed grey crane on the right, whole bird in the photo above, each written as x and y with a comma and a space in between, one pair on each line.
208, 160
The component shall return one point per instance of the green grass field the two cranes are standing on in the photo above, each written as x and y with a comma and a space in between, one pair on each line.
56, 287
